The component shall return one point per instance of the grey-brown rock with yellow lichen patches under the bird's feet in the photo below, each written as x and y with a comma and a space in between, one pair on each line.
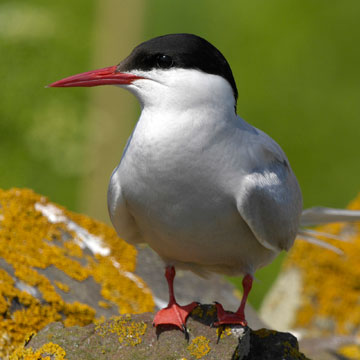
132, 337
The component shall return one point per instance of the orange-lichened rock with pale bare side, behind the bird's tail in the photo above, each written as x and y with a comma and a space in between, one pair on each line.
321, 288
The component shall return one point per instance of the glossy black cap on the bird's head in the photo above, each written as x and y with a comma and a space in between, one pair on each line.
185, 51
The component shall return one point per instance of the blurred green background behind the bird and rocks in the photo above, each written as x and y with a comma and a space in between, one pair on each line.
296, 64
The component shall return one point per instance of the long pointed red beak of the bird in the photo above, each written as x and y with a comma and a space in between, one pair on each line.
105, 76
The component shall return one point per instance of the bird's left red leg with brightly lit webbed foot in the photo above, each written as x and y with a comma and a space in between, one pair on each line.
173, 314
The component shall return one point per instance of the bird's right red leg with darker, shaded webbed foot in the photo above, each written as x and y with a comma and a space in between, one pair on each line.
227, 318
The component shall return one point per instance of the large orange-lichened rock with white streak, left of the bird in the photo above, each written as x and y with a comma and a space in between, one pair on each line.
56, 265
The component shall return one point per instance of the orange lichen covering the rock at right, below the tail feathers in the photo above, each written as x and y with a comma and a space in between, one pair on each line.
331, 291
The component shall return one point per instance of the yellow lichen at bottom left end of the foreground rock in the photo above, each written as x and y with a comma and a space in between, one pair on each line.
47, 351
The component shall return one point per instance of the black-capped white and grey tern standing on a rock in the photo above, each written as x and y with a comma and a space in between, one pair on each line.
201, 186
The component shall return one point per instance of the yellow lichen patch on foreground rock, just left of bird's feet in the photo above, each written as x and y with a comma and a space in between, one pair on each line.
129, 332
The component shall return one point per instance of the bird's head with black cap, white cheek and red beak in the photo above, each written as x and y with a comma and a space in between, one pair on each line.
172, 70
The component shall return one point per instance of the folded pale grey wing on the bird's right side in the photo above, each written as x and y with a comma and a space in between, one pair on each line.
269, 198
